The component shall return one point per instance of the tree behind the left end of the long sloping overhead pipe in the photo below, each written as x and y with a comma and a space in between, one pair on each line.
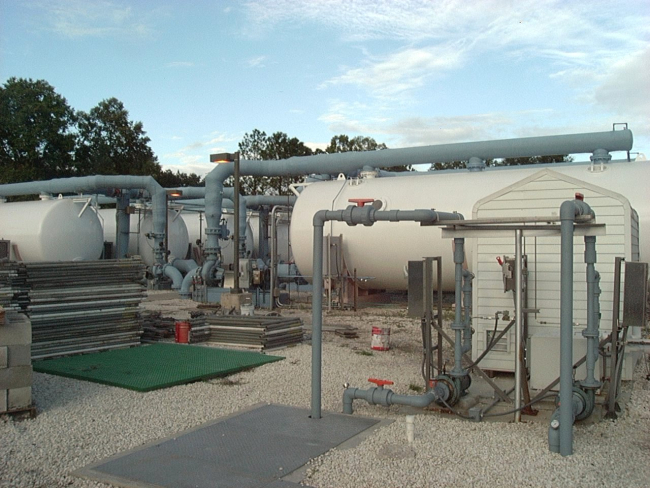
258, 146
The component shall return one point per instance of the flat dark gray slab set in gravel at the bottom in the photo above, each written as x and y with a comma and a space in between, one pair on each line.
257, 448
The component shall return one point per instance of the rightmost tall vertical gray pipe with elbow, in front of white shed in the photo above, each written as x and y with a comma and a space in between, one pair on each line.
569, 210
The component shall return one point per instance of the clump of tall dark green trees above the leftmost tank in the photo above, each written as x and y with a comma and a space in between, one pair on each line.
41, 137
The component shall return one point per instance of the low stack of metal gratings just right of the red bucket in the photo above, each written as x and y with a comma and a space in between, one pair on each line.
255, 332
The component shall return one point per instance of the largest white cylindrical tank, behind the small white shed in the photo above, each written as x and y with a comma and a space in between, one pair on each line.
380, 253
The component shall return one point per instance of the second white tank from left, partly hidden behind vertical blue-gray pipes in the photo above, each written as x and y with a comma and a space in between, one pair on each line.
141, 224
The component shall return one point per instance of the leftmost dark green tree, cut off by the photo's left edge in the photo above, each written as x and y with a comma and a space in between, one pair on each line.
37, 138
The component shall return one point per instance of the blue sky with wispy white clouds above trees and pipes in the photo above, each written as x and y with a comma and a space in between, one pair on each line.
201, 74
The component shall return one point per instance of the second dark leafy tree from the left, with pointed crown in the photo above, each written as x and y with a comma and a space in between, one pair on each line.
109, 143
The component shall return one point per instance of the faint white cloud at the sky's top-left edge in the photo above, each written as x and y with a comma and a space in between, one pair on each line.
98, 18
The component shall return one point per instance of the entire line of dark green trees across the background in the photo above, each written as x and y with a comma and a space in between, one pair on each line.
42, 137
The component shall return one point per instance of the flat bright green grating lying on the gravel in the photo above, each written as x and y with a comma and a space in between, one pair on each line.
153, 366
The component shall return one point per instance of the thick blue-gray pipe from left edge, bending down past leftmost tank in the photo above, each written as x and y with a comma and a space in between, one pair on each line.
94, 183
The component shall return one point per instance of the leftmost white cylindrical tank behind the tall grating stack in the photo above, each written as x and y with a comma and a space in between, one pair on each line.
52, 230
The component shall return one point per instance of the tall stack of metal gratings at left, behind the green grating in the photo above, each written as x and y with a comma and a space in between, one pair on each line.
84, 306
